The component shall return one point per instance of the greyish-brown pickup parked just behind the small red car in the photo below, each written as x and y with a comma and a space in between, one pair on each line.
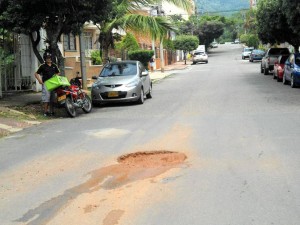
267, 62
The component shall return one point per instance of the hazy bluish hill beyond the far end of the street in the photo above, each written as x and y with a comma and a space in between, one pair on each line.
221, 6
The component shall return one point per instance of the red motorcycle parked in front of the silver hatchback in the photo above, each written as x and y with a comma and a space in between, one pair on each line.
73, 97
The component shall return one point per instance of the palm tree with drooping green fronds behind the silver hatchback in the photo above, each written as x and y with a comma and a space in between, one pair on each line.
127, 16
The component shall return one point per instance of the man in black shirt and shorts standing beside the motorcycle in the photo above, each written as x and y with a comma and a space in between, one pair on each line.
45, 72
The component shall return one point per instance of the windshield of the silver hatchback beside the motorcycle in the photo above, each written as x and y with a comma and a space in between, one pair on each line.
119, 69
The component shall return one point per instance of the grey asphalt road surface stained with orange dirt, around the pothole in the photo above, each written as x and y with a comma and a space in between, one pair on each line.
238, 128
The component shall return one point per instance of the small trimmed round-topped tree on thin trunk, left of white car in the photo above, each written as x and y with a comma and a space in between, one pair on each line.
186, 43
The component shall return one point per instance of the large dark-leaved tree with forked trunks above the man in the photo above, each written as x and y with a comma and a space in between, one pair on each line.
57, 17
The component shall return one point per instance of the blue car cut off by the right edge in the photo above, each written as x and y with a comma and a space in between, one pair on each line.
292, 70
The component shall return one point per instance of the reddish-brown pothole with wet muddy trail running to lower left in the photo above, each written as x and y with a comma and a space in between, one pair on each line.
131, 168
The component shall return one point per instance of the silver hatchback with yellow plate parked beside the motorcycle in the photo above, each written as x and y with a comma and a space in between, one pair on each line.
122, 81
